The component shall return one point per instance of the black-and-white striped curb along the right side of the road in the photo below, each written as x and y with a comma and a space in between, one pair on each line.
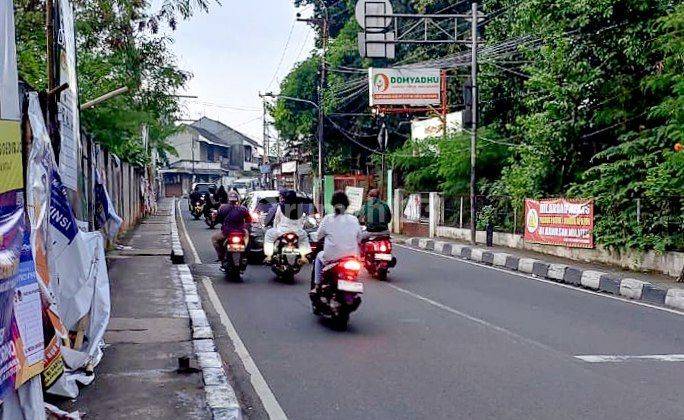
590, 279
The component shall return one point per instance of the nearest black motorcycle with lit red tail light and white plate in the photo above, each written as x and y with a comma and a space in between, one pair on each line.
339, 293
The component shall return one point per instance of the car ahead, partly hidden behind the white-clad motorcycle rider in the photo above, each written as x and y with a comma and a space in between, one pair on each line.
259, 203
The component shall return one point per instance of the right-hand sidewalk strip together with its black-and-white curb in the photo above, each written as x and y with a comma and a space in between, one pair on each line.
650, 288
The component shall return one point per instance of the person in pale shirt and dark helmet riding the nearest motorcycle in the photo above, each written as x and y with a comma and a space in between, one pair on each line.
341, 234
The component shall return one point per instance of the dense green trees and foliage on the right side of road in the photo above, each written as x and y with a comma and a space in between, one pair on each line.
581, 98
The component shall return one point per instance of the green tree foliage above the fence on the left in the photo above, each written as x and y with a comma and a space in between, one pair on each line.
118, 44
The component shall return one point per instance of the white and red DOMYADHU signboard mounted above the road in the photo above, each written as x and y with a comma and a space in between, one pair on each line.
408, 87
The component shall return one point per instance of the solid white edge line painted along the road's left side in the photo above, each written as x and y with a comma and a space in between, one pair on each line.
268, 399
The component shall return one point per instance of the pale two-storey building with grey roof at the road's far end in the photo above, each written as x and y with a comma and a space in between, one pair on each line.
209, 151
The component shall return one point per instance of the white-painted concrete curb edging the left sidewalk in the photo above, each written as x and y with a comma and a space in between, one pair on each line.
220, 395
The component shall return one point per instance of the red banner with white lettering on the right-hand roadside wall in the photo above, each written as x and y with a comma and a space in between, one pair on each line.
560, 221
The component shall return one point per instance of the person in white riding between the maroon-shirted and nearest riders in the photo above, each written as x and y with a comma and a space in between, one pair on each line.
289, 217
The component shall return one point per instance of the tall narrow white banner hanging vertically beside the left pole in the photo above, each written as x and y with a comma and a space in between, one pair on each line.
68, 108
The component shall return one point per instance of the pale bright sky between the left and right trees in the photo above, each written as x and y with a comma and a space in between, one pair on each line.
234, 52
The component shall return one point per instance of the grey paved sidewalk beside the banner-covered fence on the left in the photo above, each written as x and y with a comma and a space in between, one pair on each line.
148, 331
